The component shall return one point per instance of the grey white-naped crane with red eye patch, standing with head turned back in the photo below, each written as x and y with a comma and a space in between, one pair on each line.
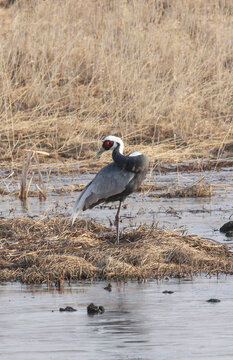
115, 181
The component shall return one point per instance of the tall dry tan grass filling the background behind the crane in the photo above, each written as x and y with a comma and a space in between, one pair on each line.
157, 72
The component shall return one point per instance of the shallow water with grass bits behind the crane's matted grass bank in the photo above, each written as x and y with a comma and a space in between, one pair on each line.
201, 216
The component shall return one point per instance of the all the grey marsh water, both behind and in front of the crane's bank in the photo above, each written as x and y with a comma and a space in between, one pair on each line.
140, 321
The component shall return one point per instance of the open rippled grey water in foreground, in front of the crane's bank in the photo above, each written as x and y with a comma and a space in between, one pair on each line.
140, 322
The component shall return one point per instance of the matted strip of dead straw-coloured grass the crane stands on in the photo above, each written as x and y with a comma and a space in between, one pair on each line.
50, 251
